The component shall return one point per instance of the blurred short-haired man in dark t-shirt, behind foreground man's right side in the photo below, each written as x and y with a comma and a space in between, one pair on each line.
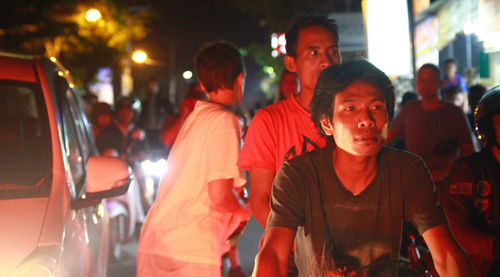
434, 129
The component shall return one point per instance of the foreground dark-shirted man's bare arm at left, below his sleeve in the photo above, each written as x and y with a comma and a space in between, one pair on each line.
272, 259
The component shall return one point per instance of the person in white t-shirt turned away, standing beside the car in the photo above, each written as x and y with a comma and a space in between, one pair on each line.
197, 207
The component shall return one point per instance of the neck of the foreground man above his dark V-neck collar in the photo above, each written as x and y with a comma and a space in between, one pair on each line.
354, 172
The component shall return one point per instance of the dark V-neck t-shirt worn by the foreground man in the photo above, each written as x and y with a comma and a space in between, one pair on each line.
363, 230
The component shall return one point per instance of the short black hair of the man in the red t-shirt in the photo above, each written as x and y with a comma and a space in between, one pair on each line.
318, 20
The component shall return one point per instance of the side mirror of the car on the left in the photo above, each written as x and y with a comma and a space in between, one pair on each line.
106, 177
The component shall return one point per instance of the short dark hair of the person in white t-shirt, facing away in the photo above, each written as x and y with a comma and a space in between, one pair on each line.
218, 64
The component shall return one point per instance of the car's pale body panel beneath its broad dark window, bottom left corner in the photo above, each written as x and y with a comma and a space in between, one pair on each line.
21, 222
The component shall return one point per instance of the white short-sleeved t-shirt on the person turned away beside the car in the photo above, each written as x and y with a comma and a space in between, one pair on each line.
181, 223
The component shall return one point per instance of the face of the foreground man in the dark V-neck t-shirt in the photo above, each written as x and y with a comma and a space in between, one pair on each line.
359, 123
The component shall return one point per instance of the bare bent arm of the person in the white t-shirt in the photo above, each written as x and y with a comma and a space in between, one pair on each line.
224, 198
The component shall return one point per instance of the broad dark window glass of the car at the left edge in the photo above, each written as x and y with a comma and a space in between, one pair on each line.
24, 138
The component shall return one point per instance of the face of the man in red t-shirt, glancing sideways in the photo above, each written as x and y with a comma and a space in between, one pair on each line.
317, 49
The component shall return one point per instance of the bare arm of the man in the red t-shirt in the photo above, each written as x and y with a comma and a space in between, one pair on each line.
261, 182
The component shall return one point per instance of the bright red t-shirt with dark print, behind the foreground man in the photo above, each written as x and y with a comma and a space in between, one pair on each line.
278, 133
